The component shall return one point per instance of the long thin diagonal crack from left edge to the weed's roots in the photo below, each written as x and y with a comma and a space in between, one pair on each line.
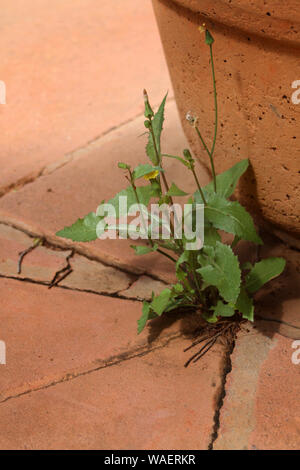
113, 361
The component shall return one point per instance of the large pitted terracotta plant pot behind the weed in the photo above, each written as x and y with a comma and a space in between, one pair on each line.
257, 58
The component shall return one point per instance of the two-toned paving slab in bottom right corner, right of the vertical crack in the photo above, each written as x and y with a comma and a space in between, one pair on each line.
261, 407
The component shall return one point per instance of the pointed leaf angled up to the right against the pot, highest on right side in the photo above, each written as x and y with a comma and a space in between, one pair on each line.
227, 181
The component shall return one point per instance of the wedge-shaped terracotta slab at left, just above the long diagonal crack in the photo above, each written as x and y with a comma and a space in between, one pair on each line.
57, 333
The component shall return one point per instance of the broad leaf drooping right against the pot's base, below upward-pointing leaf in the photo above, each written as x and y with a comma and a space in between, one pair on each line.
230, 217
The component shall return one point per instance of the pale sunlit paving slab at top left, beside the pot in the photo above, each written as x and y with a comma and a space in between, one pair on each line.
73, 70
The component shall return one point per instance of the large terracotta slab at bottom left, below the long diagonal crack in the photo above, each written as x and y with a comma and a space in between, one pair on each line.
148, 402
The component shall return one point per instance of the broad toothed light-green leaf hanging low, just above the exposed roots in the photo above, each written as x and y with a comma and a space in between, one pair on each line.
222, 271
